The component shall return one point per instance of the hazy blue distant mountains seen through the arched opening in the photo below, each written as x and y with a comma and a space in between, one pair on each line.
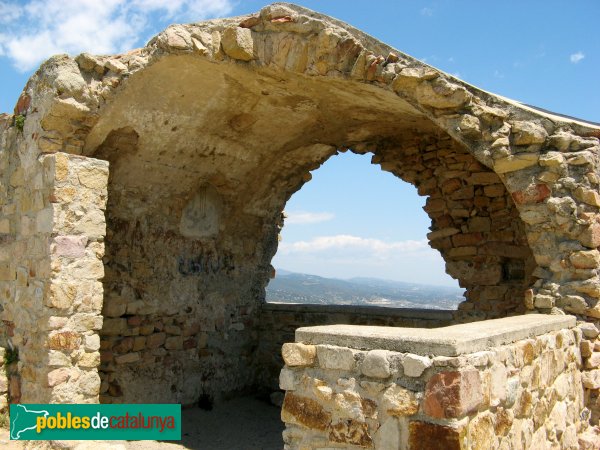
290, 287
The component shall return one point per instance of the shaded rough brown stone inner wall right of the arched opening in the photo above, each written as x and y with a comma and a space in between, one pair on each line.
475, 225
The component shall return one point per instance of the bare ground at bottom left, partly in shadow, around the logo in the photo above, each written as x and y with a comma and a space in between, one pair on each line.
239, 424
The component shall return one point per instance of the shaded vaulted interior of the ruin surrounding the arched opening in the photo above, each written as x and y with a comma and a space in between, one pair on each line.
196, 194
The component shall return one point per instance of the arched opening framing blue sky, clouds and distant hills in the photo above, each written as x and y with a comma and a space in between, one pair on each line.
355, 235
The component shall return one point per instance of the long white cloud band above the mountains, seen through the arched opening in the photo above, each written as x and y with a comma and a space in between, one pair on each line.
349, 242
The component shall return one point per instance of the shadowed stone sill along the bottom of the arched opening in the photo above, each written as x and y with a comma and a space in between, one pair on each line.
408, 313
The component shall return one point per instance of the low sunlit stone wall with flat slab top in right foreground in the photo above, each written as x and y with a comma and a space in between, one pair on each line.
508, 383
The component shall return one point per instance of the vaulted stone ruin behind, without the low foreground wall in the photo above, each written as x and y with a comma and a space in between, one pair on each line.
143, 196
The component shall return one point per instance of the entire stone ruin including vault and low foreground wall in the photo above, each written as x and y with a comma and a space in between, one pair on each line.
141, 202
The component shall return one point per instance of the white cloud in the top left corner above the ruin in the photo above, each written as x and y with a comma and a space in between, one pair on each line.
40, 28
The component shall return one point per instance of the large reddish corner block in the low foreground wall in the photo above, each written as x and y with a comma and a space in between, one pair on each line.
453, 394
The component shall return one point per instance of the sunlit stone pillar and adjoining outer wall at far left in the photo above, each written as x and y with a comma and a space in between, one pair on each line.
51, 255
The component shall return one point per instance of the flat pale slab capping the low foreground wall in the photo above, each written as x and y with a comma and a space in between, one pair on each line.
445, 341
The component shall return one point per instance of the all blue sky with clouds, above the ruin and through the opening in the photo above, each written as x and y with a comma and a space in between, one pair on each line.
352, 219
